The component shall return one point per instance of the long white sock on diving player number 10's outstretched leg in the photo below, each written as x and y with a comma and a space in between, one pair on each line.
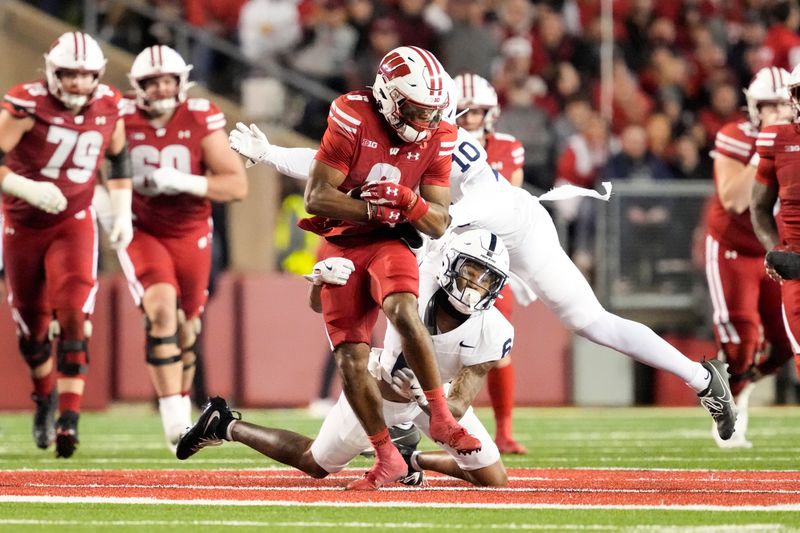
642, 344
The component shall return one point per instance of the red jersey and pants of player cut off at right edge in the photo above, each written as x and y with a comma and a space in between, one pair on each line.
779, 148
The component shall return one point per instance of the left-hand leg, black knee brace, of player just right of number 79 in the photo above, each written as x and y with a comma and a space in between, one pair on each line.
148, 268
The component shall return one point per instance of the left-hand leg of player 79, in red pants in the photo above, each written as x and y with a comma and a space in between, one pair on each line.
24, 266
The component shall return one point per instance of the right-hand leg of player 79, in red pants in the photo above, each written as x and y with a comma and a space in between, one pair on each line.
71, 270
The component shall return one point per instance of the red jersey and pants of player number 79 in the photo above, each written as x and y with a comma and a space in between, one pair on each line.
50, 260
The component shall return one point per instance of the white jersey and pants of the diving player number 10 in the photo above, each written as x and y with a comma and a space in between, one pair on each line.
483, 199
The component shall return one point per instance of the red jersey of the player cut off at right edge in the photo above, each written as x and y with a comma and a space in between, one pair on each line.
779, 148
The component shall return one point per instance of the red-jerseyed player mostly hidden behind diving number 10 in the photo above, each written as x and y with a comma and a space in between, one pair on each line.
477, 111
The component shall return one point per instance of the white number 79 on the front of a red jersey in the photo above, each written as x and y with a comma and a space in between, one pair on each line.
84, 147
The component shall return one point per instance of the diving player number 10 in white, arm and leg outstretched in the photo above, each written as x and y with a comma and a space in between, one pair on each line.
539, 266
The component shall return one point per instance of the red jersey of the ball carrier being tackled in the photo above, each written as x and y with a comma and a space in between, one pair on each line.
361, 144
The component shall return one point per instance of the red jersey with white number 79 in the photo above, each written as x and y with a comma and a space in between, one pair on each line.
62, 148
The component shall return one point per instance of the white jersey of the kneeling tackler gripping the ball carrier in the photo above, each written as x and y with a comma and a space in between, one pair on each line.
486, 336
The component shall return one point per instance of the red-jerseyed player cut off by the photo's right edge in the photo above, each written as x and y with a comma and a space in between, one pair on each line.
778, 147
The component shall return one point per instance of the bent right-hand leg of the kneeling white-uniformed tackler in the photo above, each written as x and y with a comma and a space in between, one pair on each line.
484, 468
